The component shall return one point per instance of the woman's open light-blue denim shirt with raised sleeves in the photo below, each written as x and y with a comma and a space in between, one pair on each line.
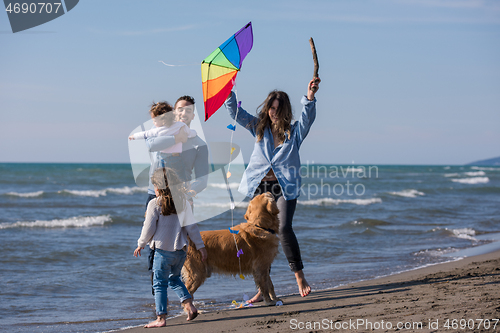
284, 159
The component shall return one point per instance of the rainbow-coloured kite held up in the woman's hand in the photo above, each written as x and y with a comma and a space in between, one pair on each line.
219, 69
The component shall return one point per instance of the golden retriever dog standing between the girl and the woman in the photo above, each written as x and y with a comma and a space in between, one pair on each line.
257, 238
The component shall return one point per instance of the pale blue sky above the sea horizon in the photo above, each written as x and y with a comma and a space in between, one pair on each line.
403, 82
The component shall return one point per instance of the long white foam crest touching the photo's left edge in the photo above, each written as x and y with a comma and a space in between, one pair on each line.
72, 222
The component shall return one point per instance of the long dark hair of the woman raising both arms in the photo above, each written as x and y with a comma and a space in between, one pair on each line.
284, 113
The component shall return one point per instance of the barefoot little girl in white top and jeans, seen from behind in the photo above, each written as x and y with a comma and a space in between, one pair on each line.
166, 228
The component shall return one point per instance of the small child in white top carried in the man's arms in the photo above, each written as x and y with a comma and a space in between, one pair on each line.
163, 119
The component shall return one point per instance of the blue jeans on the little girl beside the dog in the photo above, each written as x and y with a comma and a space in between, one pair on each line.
167, 267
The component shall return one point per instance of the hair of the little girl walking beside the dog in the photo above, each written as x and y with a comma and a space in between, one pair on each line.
171, 190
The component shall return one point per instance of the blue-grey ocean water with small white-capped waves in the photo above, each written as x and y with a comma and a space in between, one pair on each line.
68, 232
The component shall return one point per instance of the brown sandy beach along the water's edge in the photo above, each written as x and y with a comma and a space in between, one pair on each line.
450, 297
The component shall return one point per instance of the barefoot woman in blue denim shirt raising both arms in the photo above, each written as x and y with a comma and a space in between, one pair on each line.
275, 163
